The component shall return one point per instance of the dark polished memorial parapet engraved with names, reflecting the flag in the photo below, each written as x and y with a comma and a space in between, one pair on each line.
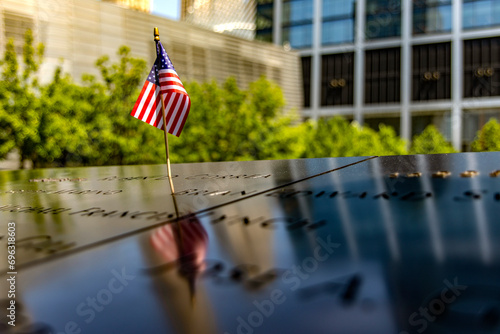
404, 244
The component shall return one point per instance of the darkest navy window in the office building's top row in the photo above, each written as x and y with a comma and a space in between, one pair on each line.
383, 18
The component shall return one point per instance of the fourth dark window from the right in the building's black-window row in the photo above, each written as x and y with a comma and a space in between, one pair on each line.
337, 84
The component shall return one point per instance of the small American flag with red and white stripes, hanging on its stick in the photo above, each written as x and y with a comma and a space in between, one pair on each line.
163, 82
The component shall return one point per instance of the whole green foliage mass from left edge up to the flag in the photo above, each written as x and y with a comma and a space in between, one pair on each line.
65, 124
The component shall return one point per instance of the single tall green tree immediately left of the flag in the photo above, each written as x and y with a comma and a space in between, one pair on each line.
120, 138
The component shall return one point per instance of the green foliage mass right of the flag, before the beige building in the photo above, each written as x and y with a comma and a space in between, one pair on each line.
227, 123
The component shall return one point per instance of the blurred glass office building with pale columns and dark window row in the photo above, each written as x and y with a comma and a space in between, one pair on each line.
400, 62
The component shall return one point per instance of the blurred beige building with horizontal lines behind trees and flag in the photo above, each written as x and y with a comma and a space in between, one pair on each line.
77, 32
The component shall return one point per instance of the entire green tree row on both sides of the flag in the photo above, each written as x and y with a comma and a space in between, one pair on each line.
66, 124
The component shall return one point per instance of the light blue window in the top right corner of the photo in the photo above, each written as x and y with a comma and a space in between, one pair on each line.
481, 13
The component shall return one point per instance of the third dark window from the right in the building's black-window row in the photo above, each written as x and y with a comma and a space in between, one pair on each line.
382, 75
